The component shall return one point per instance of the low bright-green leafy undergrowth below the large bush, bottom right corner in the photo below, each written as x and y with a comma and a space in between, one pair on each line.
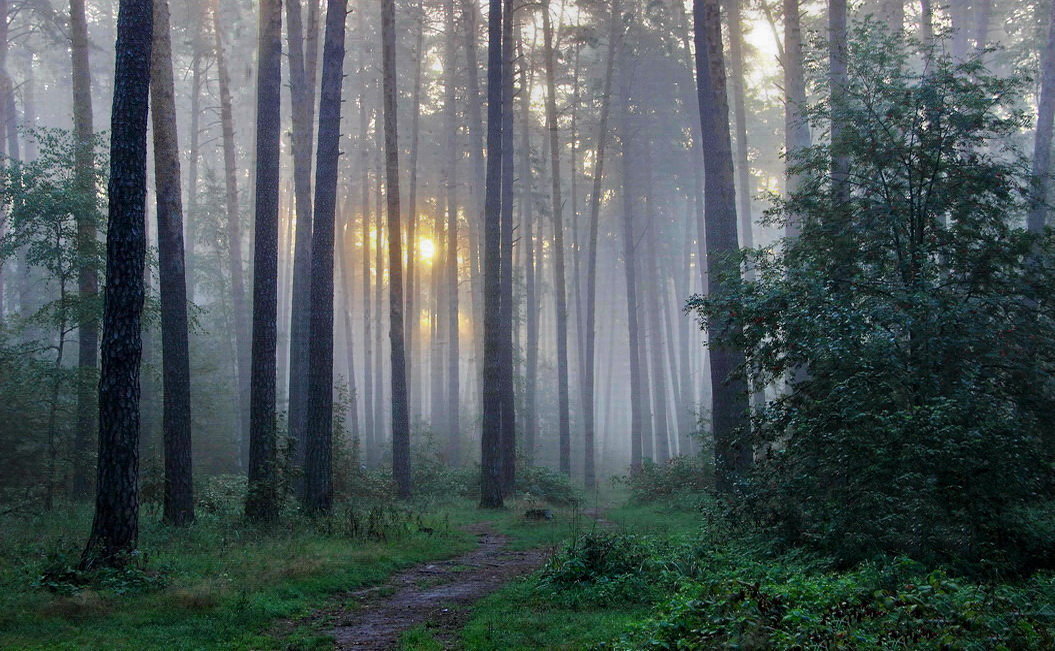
791, 604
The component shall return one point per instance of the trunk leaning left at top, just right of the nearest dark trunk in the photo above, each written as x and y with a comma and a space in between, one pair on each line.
176, 355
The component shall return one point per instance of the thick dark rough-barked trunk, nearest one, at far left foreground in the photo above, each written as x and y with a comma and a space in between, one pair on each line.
116, 528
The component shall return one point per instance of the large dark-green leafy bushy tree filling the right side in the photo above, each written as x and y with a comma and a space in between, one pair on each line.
915, 322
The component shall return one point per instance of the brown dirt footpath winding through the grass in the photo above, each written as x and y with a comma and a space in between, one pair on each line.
437, 595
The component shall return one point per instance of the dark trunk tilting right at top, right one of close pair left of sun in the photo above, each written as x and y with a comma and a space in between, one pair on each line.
319, 459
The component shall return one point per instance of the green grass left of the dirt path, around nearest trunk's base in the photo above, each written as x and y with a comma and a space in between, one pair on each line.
219, 584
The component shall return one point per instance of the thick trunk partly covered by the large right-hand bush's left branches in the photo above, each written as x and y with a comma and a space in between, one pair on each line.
733, 454
